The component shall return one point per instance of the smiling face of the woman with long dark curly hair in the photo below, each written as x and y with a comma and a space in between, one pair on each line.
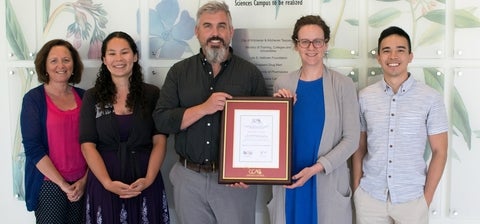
119, 57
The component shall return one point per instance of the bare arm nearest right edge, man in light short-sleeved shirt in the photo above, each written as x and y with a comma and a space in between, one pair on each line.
439, 145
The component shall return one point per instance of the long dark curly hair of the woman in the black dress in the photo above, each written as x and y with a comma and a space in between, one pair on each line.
105, 89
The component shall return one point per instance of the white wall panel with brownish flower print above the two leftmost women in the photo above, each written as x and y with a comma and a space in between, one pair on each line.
86, 23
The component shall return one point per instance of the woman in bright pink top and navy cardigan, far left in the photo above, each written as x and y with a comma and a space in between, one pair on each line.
55, 170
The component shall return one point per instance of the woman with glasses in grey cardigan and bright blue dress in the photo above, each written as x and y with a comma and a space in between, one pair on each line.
326, 132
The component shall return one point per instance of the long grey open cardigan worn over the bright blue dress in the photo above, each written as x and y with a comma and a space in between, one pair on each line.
340, 139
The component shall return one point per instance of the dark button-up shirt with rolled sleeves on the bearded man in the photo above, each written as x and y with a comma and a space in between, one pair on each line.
190, 82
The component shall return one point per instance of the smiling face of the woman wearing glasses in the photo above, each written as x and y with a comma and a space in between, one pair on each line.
311, 55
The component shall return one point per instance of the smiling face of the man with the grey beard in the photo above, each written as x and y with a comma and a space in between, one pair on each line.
214, 32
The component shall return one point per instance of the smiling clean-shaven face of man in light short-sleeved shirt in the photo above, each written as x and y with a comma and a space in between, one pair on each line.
394, 57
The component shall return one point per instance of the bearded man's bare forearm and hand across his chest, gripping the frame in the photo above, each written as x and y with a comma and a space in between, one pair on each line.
216, 102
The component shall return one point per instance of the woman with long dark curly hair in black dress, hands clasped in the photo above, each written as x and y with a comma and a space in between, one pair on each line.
119, 141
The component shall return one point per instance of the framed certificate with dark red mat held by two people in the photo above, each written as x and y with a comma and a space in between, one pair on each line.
255, 142
